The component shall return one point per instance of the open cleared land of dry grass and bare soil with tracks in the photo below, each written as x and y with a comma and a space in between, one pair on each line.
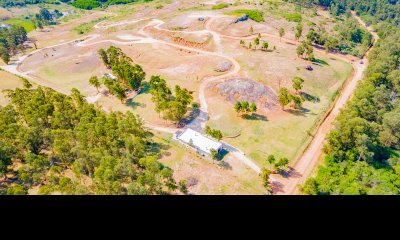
199, 49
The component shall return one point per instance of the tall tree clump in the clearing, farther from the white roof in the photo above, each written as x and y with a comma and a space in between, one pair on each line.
129, 75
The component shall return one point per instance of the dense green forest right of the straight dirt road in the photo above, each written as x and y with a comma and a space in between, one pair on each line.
363, 150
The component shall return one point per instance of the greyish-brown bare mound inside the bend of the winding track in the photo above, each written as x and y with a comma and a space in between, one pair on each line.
244, 89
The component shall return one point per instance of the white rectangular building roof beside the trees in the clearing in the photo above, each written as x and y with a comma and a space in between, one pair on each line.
199, 141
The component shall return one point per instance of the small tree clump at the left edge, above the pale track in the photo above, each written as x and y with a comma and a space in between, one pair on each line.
11, 40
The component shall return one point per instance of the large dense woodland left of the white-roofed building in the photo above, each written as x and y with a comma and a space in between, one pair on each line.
61, 144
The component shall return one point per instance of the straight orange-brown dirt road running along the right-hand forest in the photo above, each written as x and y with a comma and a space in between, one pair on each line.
304, 166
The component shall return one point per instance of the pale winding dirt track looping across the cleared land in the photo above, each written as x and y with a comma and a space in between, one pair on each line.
203, 116
